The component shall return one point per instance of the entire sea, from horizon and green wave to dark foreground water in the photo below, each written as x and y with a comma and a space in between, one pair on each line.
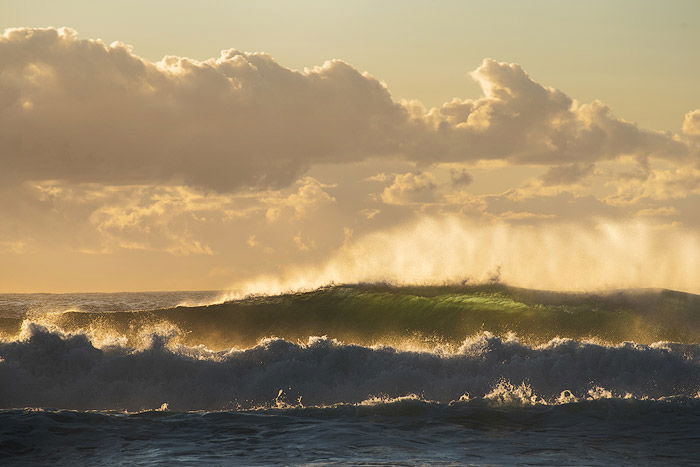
368, 374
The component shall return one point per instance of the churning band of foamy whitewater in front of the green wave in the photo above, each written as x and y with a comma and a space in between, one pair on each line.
45, 368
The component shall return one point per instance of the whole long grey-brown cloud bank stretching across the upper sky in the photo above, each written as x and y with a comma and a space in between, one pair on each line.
83, 111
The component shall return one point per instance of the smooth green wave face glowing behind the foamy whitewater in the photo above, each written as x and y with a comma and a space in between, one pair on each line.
383, 314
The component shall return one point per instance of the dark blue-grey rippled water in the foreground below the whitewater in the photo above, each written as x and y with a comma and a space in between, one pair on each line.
604, 432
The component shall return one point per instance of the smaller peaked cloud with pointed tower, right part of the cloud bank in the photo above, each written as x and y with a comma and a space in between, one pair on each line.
523, 122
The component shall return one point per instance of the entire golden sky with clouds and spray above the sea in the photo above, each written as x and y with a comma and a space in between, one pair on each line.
254, 145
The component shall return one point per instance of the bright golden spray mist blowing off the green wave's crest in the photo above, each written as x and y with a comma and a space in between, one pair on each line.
450, 250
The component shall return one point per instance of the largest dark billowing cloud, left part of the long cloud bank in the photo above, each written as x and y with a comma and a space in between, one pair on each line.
84, 111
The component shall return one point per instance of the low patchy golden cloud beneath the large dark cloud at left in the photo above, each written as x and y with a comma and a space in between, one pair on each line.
179, 220
